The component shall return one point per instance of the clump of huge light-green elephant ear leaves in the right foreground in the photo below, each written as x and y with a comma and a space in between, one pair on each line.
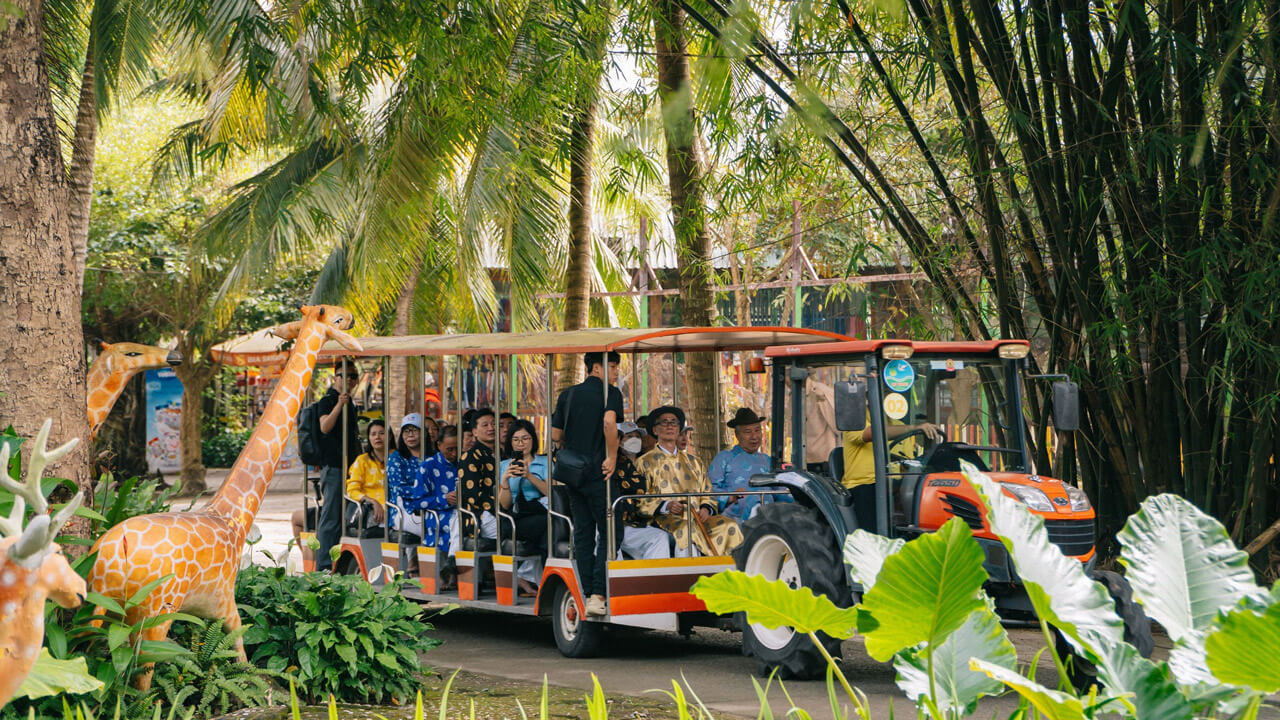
925, 608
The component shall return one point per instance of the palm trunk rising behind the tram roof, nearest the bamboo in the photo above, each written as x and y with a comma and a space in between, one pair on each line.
689, 211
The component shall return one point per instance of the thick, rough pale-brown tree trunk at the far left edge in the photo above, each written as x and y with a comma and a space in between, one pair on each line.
42, 343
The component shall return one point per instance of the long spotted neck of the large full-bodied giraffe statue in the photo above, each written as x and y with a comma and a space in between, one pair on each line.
240, 496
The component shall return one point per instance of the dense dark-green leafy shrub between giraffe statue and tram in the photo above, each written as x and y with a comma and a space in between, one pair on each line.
337, 634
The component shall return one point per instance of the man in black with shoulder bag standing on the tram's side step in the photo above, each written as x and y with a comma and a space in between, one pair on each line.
588, 423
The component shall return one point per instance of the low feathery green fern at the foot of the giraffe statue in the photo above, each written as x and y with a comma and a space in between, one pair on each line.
212, 681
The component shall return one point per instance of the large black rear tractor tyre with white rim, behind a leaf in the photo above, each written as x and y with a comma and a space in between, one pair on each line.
792, 544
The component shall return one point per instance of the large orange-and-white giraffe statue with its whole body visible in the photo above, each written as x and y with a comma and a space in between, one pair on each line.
202, 550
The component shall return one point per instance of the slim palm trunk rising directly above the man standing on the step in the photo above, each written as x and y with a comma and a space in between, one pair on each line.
578, 276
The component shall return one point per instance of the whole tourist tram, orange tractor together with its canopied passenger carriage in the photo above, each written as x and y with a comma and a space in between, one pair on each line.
907, 413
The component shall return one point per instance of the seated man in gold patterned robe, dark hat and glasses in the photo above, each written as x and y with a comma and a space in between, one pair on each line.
673, 471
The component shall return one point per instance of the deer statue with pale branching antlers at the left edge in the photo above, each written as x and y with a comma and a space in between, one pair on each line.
33, 567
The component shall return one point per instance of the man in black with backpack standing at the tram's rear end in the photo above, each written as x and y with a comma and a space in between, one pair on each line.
330, 525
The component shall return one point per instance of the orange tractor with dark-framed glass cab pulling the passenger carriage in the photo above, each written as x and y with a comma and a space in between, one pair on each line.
904, 414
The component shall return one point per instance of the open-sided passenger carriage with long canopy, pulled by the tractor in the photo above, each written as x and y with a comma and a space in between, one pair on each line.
643, 594
